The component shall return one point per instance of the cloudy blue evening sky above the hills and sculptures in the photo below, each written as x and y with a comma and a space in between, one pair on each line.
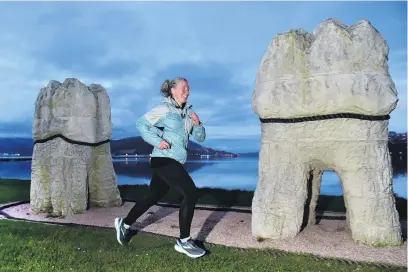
131, 47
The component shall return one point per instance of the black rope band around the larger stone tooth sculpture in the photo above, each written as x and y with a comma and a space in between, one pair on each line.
326, 117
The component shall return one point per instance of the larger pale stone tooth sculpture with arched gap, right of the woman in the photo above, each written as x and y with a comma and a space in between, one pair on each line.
335, 69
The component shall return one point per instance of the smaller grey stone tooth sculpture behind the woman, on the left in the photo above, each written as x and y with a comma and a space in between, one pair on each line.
65, 177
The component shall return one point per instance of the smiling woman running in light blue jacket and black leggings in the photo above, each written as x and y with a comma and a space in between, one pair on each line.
176, 121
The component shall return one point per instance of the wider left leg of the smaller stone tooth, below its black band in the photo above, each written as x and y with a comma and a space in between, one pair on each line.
59, 177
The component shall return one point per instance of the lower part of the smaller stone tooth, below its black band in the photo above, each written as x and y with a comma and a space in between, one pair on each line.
64, 174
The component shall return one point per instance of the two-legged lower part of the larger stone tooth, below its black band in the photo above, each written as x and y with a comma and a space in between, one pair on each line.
356, 150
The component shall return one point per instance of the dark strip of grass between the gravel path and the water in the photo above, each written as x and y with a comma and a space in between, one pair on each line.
15, 190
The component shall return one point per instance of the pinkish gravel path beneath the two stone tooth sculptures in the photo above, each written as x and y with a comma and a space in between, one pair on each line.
330, 238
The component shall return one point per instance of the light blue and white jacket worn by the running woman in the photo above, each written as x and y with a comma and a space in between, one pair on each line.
176, 126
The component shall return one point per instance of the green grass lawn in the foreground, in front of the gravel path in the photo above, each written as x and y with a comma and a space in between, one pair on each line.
39, 247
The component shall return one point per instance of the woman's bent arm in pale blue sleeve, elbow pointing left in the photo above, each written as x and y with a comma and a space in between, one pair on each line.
148, 121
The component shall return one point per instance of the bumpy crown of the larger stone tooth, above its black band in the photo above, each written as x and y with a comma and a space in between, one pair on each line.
335, 69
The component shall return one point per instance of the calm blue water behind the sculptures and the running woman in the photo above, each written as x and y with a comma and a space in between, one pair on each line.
234, 173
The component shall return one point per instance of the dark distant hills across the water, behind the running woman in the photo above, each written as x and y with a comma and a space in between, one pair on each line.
131, 145
